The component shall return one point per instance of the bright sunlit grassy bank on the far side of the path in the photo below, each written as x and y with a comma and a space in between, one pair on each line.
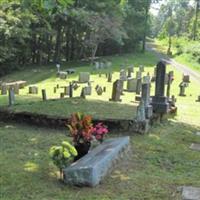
184, 58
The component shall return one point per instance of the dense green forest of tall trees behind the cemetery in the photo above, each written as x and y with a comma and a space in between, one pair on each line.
45, 31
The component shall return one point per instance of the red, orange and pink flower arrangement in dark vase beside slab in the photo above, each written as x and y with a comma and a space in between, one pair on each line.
84, 132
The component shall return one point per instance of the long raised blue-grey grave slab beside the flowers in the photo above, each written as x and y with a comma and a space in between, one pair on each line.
92, 168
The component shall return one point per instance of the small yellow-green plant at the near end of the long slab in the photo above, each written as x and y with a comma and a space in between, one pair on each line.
63, 155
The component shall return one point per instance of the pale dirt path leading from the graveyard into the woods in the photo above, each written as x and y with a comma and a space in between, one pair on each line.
183, 68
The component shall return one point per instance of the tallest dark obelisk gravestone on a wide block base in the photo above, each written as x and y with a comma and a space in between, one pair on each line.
159, 101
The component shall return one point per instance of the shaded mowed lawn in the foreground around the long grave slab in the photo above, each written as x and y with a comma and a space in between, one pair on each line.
156, 165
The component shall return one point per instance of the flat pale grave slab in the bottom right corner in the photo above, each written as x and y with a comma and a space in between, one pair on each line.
190, 193
